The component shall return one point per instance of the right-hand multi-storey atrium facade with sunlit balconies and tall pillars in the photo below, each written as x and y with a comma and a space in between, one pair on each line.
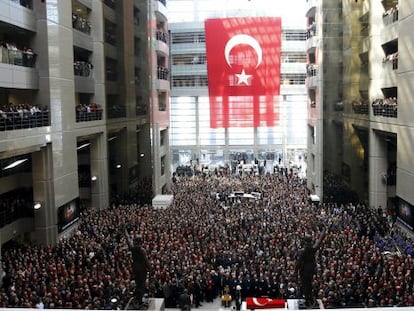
359, 129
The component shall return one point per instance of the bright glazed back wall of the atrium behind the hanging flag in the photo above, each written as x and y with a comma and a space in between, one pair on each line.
191, 137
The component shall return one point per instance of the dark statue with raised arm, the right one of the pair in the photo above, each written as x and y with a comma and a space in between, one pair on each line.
306, 266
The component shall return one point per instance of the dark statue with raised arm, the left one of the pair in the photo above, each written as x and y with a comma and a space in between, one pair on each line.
141, 267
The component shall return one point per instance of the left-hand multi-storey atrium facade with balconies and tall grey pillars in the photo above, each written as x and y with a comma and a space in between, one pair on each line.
84, 88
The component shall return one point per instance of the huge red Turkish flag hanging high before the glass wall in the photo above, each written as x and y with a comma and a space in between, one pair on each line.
243, 65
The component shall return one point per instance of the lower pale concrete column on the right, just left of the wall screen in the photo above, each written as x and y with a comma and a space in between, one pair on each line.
377, 169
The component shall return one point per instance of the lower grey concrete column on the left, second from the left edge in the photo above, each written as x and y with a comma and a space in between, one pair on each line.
99, 168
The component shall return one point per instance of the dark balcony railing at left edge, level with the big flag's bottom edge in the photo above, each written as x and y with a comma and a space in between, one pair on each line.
10, 121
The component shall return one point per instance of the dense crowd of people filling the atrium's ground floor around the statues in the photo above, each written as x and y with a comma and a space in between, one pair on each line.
202, 244
